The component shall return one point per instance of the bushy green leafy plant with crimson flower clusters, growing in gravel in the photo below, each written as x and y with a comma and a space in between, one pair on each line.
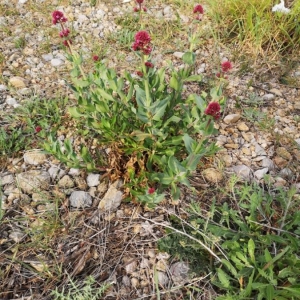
156, 136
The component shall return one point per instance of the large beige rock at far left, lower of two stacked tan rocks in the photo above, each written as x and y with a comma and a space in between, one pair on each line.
33, 180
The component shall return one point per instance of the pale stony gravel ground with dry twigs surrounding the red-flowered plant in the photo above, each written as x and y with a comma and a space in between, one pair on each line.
250, 150
